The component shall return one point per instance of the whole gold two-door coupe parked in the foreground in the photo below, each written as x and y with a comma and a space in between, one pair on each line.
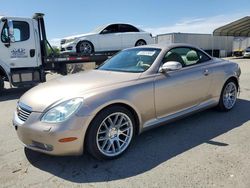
139, 88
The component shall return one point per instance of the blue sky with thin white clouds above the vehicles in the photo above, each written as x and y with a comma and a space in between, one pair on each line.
65, 18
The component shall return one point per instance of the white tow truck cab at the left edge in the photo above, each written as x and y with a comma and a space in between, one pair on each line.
20, 53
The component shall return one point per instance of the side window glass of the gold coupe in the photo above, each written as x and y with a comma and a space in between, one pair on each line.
186, 56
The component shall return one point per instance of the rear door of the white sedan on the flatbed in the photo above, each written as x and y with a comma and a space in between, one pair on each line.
129, 34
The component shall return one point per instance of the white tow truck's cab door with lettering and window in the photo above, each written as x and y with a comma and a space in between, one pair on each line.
22, 52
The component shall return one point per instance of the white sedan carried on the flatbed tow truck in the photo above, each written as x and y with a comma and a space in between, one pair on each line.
111, 37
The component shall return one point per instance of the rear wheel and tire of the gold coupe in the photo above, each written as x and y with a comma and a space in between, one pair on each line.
228, 96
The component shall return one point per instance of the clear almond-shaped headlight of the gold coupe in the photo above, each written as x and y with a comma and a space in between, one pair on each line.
62, 111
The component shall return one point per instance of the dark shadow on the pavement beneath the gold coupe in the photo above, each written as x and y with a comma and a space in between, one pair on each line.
149, 149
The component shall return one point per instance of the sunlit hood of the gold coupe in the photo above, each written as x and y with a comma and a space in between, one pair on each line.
66, 87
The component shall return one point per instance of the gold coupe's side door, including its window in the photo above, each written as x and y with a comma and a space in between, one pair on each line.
178, 90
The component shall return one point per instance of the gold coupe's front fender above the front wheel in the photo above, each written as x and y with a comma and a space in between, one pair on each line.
129, 95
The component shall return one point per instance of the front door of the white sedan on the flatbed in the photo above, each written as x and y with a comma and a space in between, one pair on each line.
110, 38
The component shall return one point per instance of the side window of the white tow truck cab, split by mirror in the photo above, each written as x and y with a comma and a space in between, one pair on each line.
21, 31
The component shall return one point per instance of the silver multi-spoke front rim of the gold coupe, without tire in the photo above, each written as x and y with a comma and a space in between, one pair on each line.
114, 134
